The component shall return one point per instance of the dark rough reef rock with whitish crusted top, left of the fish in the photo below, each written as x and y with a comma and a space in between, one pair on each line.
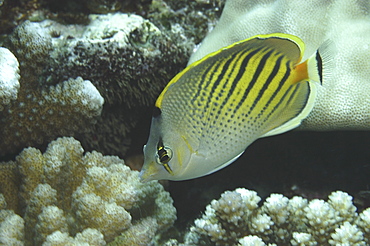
129, 60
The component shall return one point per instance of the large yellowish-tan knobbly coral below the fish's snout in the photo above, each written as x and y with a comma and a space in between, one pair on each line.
71, 198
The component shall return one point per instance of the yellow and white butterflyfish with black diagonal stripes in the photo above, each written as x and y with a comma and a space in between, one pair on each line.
209, 113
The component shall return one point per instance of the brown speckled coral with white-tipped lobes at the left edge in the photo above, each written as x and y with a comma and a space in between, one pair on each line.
42, 111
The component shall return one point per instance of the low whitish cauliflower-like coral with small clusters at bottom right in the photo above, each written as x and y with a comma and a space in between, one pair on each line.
238, 219
